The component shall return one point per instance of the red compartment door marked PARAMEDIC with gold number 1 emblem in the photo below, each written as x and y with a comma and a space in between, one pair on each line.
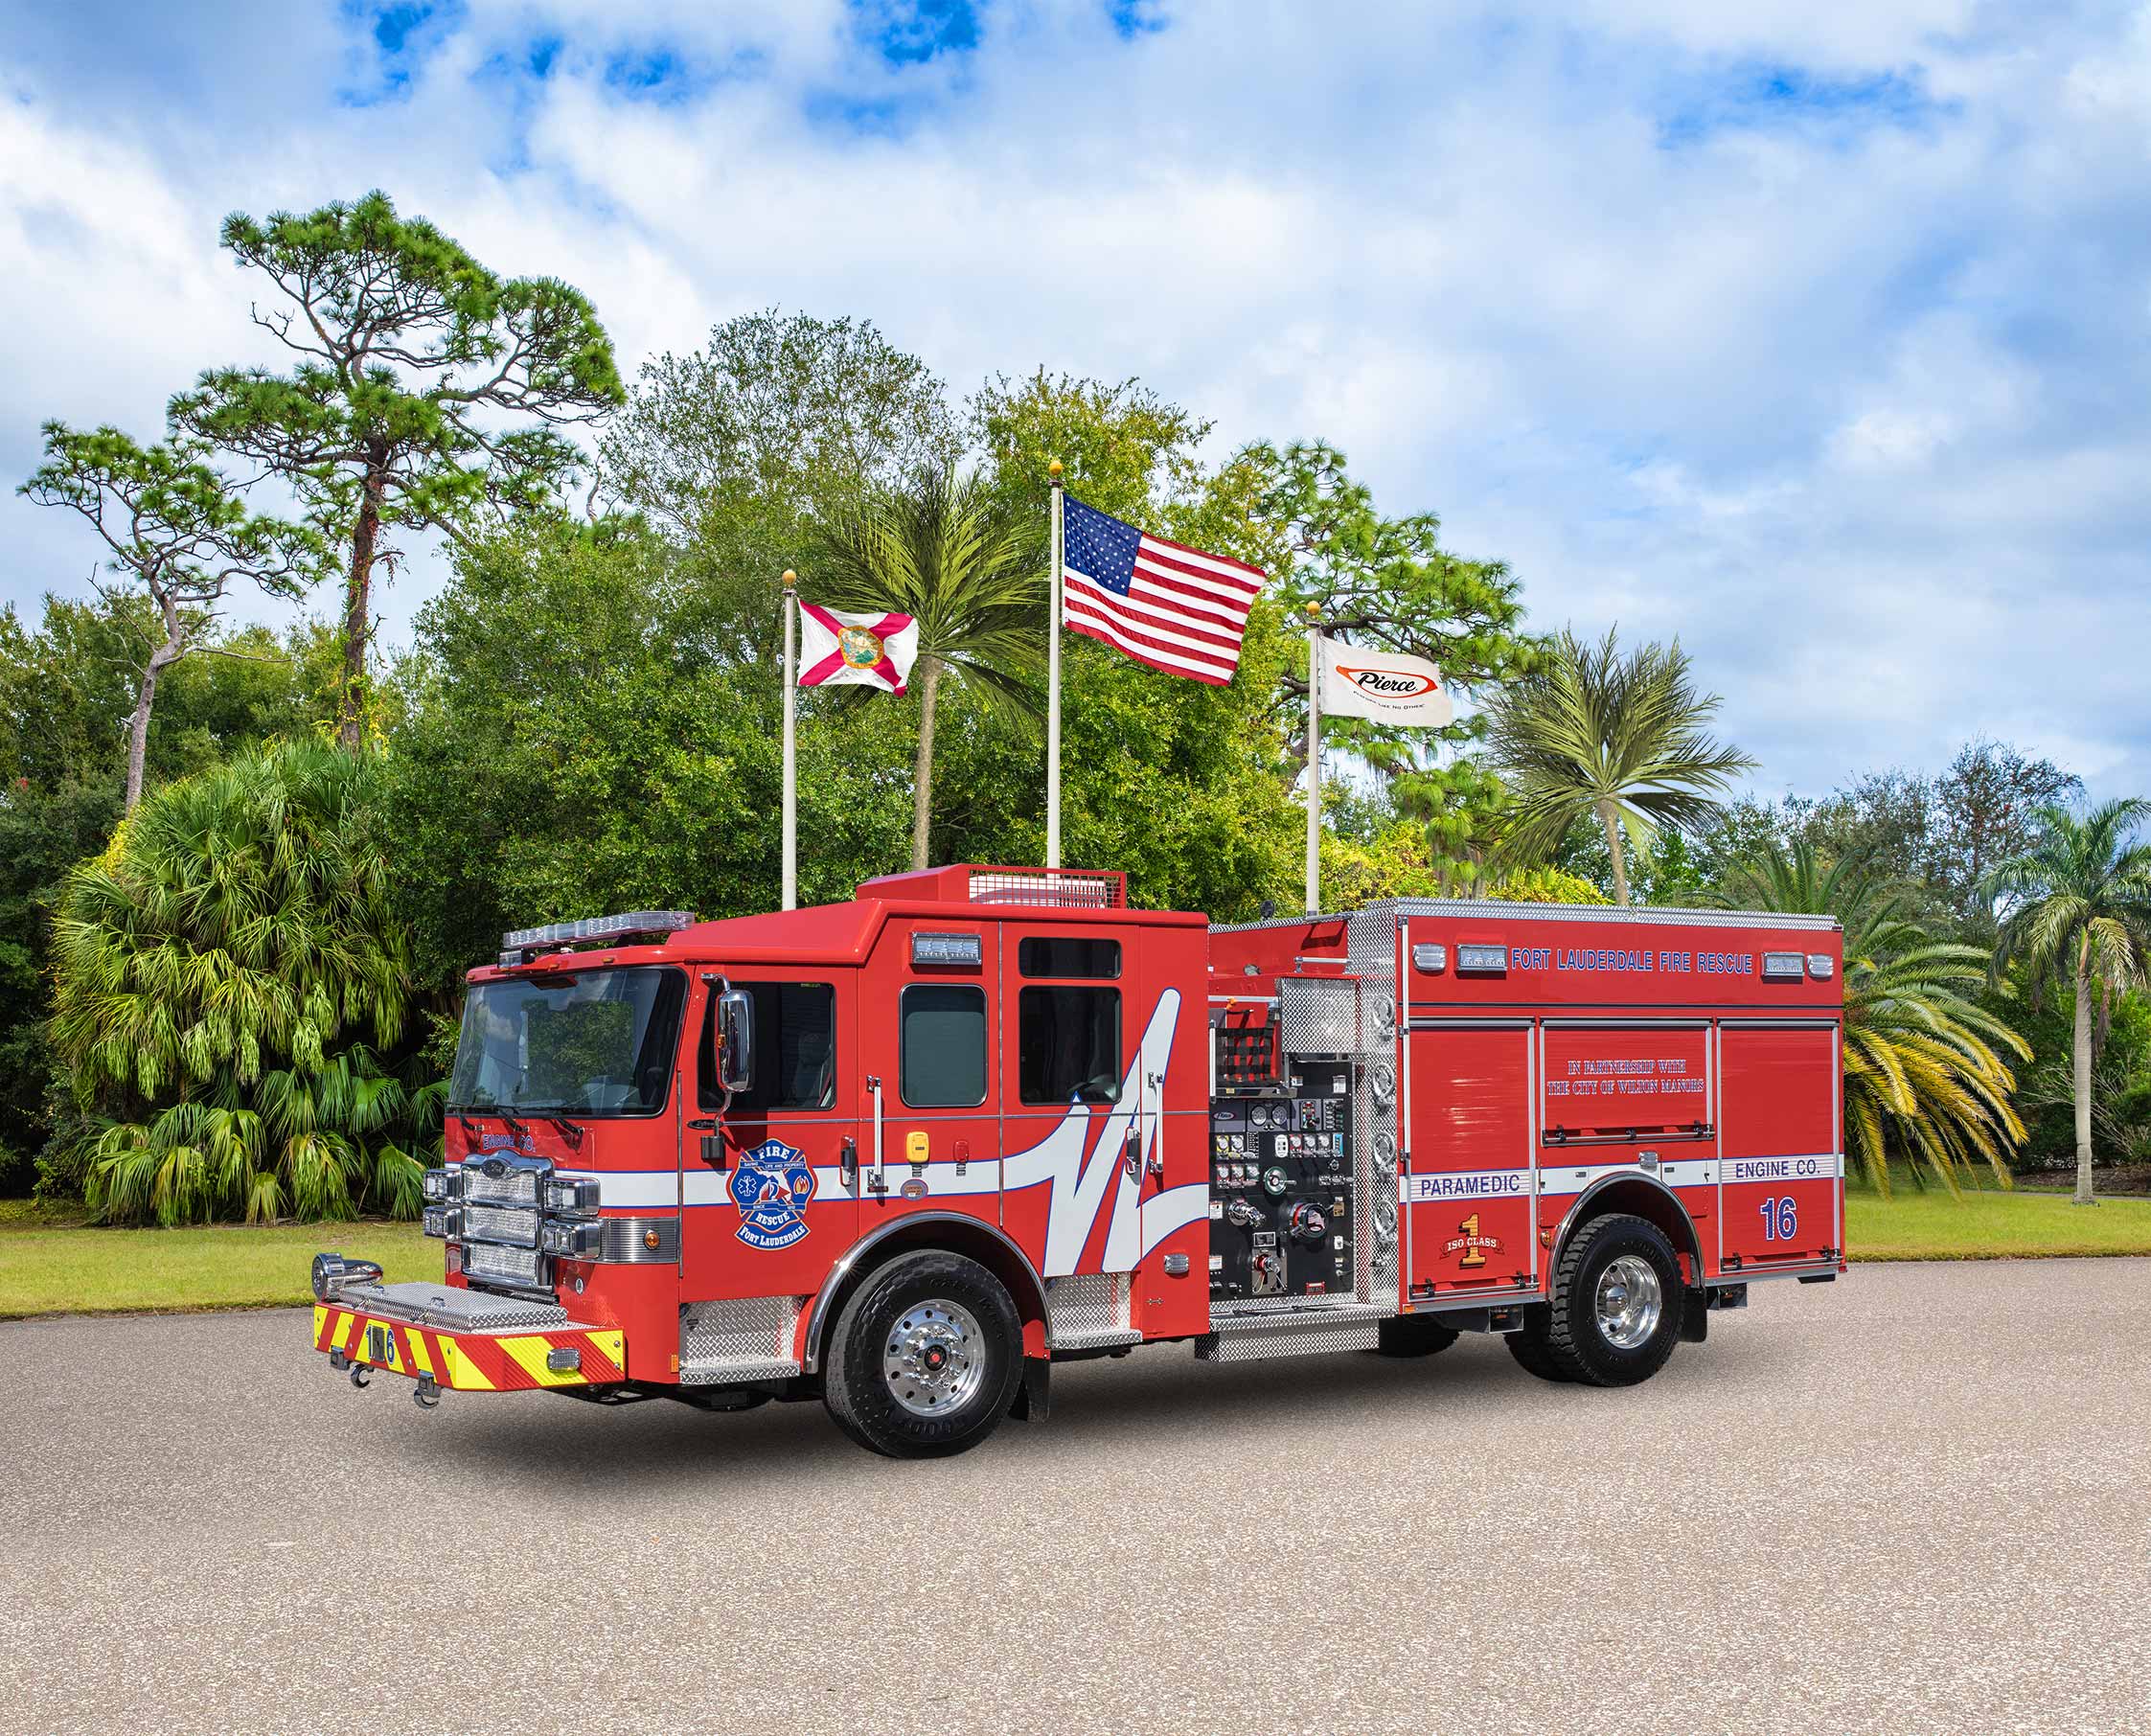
1468, 1184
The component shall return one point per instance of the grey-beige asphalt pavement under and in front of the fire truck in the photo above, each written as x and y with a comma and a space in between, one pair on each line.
1915, 1500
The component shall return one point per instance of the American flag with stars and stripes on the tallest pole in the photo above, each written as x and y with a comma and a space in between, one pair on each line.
1163, 603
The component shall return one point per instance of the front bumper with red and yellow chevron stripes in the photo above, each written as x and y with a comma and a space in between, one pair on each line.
466, 1339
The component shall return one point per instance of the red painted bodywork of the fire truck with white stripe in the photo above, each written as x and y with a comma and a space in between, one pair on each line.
1604, 1053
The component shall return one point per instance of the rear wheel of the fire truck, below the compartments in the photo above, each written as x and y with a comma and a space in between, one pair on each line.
1616, 1303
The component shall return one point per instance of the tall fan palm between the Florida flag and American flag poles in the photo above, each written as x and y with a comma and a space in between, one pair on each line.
948, 554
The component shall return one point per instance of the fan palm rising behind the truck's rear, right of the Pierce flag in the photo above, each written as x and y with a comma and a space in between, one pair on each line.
1608, 735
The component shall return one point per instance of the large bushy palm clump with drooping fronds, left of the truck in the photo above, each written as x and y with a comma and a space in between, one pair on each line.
218, 973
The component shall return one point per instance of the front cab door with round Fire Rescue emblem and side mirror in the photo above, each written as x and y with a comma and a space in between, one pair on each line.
775, 1210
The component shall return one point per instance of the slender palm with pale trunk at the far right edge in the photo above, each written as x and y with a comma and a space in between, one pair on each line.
2079, 909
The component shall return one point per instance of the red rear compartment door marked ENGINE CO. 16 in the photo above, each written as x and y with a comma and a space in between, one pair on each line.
1780, 1169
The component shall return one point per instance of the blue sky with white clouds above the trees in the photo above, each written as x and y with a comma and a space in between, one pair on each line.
1814, 335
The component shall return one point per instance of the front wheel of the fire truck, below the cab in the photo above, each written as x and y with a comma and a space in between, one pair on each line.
926, 1358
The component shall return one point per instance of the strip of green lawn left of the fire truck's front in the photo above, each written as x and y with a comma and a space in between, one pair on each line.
53, 1266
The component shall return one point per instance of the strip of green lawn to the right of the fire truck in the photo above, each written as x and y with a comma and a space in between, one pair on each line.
1989, 1225
